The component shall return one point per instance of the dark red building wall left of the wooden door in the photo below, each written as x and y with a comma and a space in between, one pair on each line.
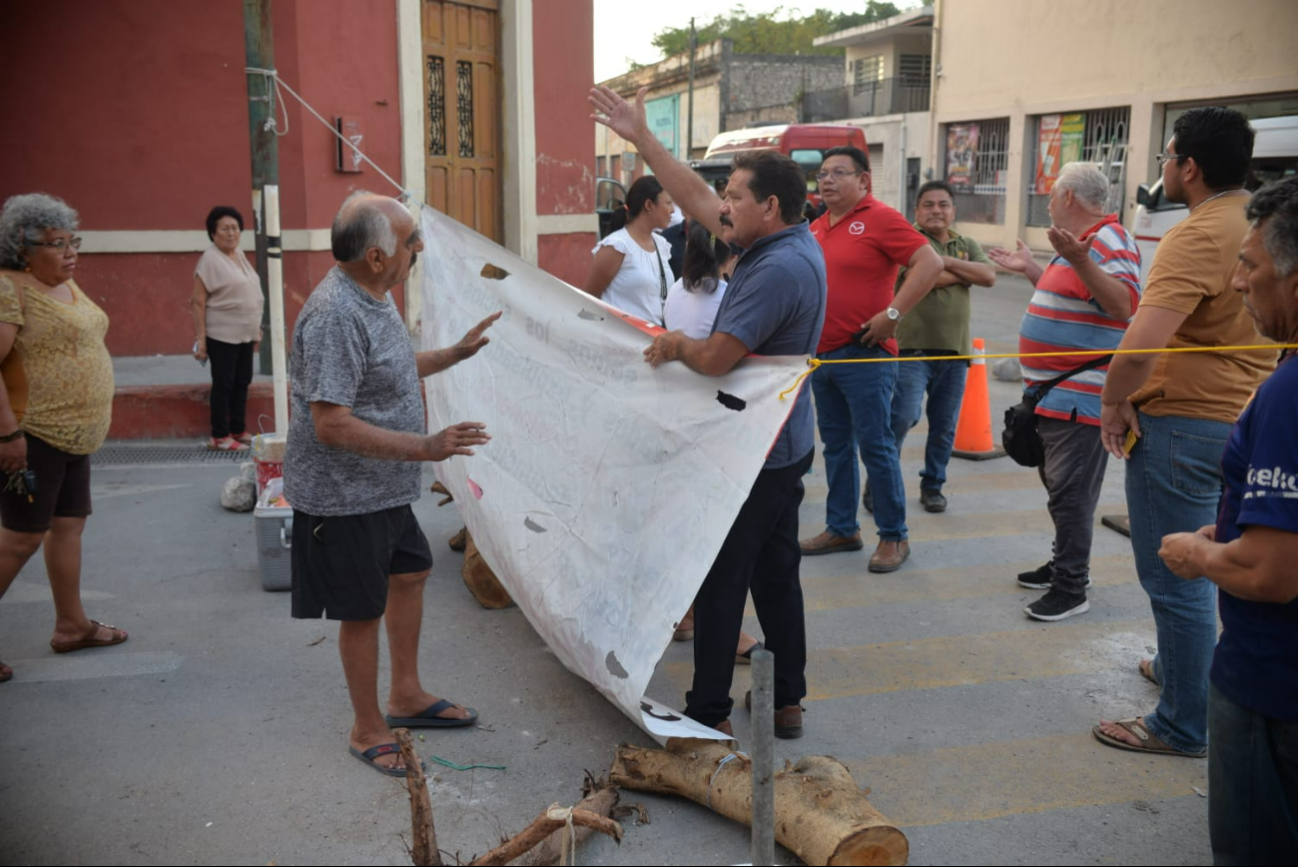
141, 123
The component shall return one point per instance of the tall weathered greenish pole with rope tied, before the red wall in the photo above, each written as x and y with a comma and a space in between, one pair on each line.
260, 54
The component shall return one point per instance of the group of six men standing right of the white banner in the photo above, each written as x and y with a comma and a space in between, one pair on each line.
1212, 463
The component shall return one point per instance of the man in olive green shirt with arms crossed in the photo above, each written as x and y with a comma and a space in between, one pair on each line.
938, 326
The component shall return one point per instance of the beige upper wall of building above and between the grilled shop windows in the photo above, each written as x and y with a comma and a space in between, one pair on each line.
1020, 59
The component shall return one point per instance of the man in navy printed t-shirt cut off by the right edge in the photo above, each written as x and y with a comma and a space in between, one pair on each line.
1251, 555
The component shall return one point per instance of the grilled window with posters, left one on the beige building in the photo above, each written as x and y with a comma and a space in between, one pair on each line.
977, 168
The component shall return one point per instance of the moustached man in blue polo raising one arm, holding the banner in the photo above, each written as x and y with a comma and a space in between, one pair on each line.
774, 307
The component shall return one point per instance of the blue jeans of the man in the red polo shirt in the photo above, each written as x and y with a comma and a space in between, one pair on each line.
853, 407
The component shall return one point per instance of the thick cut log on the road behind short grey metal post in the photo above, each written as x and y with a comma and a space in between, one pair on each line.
821, 814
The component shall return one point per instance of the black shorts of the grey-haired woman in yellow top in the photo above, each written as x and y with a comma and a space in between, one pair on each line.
63, 490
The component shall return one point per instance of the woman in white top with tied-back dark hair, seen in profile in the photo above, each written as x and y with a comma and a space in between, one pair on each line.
631, 268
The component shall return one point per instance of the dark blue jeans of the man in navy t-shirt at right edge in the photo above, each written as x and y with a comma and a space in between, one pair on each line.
1253, 786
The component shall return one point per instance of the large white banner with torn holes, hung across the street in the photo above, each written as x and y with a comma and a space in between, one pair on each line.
608, 487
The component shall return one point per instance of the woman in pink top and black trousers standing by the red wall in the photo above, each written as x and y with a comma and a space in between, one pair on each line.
228, 307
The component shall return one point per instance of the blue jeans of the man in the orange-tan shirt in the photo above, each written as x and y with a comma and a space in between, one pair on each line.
1174, 483
